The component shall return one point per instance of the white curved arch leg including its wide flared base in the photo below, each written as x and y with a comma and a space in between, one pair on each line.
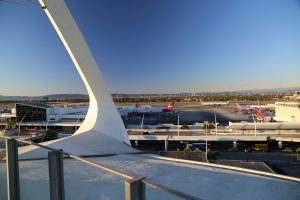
102, 131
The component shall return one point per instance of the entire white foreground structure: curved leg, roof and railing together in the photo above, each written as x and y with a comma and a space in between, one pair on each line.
103, 165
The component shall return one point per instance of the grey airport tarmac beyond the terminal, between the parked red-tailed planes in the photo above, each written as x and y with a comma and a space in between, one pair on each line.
192, 114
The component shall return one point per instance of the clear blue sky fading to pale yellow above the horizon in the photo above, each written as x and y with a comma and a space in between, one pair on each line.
155, 46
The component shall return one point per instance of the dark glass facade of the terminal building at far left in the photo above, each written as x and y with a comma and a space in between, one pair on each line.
30, 113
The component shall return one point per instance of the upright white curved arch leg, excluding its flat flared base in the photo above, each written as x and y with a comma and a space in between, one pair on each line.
102, 115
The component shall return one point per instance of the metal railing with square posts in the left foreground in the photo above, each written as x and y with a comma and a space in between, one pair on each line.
134, 186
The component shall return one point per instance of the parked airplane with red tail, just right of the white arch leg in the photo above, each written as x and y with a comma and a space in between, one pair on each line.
145, 109
